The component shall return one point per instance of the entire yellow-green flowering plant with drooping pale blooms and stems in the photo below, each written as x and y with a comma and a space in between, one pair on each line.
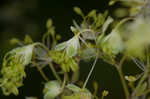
97, 36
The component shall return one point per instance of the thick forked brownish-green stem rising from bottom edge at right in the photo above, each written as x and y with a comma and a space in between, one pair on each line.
119, 69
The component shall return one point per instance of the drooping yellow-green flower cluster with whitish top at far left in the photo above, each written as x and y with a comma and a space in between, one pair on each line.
13, 69
